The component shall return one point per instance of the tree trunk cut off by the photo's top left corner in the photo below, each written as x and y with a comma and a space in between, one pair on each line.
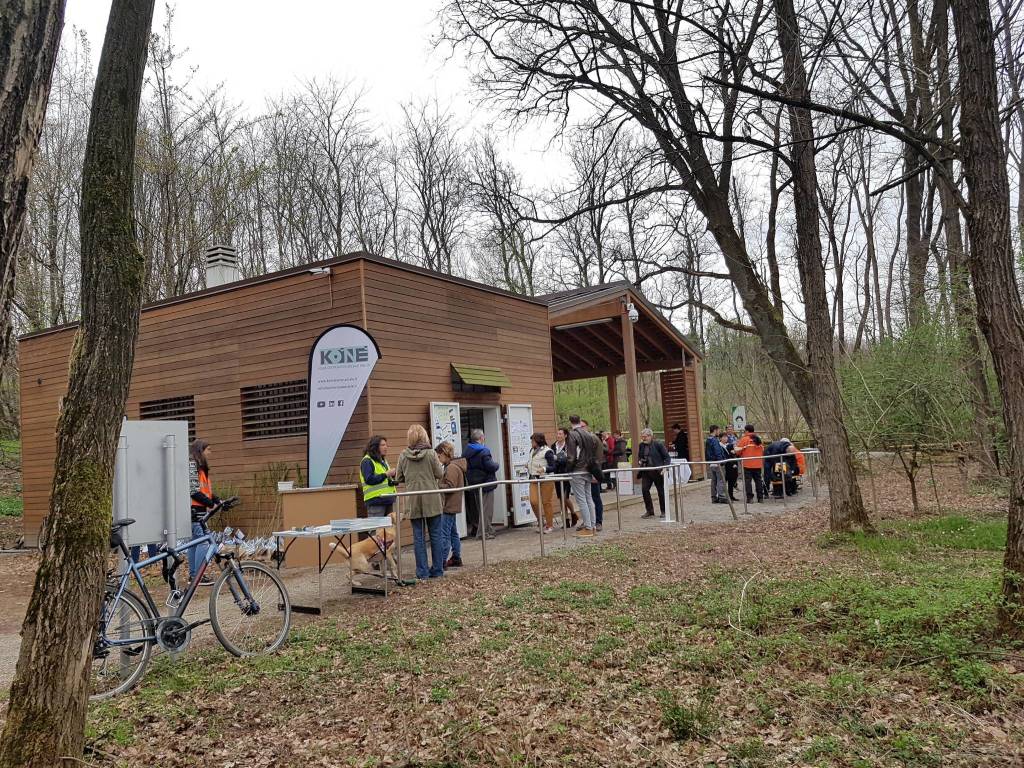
30, 36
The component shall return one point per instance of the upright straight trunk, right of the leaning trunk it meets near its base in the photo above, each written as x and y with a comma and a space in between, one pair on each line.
826, 404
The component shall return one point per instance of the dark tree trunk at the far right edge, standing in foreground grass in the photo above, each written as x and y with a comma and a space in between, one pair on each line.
1001, 315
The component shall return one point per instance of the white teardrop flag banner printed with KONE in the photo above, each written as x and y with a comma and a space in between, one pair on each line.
340, 364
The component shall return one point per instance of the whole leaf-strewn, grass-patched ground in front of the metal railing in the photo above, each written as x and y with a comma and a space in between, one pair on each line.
756, 644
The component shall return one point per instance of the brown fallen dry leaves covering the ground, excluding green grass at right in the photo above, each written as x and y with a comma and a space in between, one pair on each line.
540, 663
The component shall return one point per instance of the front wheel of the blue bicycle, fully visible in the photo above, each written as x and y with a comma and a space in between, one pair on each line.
254, 625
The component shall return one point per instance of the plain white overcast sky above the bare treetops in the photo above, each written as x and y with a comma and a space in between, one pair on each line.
261, 49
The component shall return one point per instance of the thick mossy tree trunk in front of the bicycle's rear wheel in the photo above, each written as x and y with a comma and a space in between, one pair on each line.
47, 717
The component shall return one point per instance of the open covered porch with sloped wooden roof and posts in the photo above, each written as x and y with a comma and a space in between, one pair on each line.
612, 331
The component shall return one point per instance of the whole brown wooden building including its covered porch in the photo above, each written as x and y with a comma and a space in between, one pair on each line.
233, 361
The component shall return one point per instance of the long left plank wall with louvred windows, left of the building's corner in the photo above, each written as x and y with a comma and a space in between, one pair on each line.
208, 348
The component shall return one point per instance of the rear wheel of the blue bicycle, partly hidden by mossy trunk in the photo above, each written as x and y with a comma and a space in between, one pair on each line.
118, 668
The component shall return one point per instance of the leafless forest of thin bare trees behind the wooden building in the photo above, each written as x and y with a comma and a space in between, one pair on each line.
315, 175
